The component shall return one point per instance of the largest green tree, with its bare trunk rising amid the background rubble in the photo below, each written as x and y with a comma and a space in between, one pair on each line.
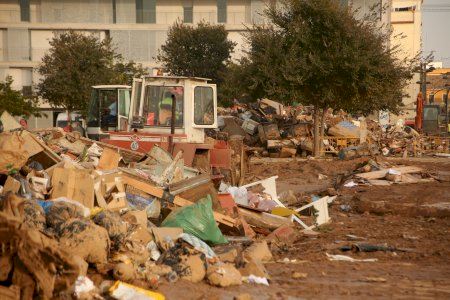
317, 53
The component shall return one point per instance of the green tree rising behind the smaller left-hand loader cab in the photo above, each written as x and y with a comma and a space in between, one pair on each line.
76, 62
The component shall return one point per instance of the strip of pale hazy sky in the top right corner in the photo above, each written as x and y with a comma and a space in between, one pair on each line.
436, 29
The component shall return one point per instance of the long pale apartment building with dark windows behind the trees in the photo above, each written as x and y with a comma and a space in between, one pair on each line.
137, 27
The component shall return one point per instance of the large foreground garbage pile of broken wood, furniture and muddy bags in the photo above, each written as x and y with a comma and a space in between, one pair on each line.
71, 207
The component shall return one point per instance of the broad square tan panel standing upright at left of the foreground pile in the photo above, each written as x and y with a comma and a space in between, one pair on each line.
74, 184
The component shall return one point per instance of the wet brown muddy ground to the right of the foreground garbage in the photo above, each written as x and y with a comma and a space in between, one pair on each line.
414, 217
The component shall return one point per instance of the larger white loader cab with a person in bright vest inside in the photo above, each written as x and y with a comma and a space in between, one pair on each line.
195, 106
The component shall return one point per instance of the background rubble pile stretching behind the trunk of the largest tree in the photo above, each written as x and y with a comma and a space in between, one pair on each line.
270, 129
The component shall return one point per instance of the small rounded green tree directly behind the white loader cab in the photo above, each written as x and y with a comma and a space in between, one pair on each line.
201, 51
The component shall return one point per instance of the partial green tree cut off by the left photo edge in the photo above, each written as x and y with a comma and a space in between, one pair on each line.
14, 102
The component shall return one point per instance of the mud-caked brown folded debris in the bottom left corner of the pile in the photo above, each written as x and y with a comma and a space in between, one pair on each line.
37, 264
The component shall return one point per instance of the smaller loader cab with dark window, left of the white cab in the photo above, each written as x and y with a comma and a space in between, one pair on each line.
109, 109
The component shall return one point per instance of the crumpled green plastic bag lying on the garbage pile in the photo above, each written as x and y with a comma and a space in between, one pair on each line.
198, 220
